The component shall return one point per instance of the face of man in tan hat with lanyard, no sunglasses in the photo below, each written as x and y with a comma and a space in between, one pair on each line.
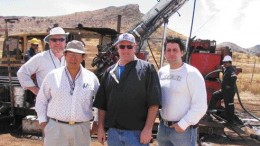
73, 60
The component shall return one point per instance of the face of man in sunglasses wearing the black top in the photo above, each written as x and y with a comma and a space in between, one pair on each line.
126, 51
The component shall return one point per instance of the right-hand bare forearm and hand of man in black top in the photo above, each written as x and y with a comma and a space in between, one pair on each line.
146, 133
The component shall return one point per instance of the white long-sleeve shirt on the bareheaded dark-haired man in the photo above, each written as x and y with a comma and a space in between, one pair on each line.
184, 96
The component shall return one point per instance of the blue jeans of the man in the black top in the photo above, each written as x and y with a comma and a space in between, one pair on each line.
117, 137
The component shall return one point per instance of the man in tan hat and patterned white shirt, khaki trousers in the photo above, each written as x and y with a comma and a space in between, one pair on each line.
64, 102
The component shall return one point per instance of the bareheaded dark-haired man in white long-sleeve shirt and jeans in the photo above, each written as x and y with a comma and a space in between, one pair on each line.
184, 99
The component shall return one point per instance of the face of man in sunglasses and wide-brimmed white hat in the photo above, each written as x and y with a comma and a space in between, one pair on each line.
57, 43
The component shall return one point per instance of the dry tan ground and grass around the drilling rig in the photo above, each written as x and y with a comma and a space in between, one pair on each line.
249, 89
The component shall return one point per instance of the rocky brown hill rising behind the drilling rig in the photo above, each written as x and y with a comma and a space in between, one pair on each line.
106, 17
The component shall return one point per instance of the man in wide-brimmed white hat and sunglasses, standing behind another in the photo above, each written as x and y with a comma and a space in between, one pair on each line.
44, 62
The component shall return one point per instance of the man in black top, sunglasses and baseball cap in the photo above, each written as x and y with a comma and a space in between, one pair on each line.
128, 98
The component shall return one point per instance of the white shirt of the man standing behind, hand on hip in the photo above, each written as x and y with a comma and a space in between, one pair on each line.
41, 64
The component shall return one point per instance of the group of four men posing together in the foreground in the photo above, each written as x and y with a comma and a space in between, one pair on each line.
128, 96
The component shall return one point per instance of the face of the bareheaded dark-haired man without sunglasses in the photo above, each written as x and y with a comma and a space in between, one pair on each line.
173, 53
